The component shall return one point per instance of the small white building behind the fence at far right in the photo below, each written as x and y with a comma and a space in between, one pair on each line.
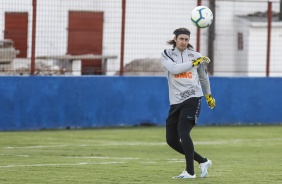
251, 58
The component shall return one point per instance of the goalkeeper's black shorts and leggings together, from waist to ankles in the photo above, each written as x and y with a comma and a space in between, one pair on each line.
178, 128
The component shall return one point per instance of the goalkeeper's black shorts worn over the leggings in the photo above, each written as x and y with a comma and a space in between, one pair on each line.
189, 109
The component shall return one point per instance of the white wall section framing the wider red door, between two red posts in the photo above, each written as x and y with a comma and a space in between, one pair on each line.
52, 30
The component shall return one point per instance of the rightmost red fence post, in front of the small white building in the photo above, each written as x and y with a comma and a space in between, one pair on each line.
269, 14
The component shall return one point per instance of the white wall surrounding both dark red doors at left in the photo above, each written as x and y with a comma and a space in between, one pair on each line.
52, 23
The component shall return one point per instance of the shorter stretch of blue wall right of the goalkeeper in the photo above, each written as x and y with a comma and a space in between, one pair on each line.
245, 101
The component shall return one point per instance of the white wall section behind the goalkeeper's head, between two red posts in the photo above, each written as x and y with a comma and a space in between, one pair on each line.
150, 24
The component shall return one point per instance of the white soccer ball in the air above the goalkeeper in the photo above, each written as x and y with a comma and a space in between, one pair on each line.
202, 16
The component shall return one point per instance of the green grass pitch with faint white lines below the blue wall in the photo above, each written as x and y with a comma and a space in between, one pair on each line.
240, 154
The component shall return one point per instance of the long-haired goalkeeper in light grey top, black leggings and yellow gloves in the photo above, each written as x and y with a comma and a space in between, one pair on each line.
188, 81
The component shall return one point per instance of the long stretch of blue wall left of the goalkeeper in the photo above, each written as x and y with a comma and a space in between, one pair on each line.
53, 102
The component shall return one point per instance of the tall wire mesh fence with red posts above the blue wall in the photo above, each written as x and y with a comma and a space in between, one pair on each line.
126, 37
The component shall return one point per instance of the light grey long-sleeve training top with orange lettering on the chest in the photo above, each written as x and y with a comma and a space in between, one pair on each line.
184, 80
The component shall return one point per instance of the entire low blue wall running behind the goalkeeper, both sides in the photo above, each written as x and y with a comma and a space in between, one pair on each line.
31, 103
